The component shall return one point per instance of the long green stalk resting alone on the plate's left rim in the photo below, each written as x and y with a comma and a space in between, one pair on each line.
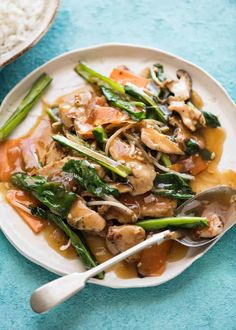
25, 106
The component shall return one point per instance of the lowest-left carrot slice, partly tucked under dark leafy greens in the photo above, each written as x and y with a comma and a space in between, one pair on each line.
16, 197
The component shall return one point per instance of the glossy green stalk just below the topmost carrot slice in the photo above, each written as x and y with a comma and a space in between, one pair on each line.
116, 101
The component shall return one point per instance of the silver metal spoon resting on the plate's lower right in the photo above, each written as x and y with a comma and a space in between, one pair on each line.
59, 290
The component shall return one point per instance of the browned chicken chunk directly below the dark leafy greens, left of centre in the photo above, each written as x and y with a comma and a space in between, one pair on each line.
83, 218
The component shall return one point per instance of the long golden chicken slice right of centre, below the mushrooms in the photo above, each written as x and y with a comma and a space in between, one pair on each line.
158, 141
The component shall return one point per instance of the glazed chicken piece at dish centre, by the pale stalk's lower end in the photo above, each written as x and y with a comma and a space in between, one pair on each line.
143, 173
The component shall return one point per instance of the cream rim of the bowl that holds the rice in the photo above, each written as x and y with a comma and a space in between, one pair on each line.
34, 36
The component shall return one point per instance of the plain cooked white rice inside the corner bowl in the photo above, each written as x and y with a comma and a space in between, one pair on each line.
18, 18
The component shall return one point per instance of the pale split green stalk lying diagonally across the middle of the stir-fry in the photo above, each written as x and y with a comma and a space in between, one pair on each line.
99, 158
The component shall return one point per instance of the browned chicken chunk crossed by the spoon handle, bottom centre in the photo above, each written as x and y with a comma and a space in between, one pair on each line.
121, 238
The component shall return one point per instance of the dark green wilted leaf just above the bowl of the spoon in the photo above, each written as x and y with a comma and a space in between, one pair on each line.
171, 185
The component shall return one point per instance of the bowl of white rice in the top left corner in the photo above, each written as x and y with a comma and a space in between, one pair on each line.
22, 24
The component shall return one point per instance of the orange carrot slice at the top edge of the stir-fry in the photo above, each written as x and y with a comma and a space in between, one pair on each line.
124, 76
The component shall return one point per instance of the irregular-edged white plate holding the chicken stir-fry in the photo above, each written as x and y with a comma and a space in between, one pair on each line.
103, 58
